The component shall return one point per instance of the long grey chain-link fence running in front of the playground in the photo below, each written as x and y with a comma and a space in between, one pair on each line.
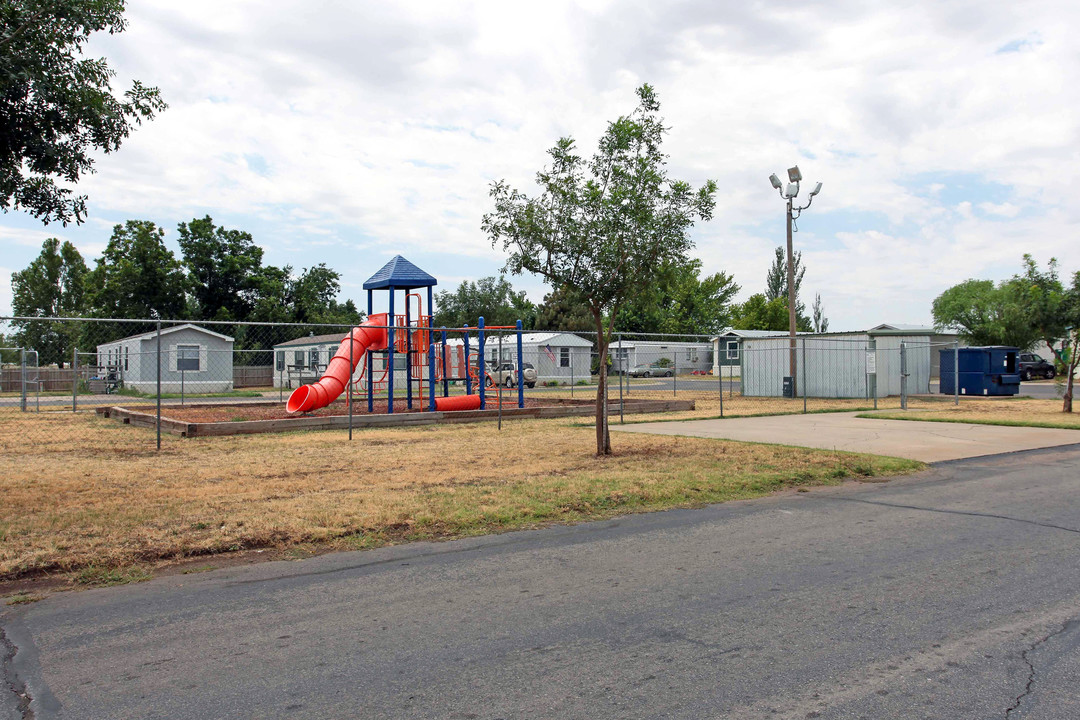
130, 383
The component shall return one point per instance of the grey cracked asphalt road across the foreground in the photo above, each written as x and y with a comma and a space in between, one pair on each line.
953, 594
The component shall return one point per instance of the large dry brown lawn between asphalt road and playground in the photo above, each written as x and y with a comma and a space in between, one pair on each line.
86, 493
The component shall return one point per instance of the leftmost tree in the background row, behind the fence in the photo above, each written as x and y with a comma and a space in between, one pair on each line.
51, 287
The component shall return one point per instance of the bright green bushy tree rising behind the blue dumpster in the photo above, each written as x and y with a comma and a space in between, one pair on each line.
984, 314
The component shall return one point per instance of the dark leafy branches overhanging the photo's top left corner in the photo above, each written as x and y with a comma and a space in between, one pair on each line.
58, 108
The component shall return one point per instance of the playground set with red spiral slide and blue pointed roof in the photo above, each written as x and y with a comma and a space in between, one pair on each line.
433, 358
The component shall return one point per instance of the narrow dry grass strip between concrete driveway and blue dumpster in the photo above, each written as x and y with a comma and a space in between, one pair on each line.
1006, 412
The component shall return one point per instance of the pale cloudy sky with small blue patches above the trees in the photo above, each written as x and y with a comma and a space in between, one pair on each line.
946, 133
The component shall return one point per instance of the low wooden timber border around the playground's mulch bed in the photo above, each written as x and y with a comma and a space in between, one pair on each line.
563, 409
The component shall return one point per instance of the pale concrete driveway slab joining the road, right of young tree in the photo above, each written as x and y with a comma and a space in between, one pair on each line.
927, 442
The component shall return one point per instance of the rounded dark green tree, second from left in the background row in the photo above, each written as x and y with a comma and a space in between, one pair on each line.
138, 277
